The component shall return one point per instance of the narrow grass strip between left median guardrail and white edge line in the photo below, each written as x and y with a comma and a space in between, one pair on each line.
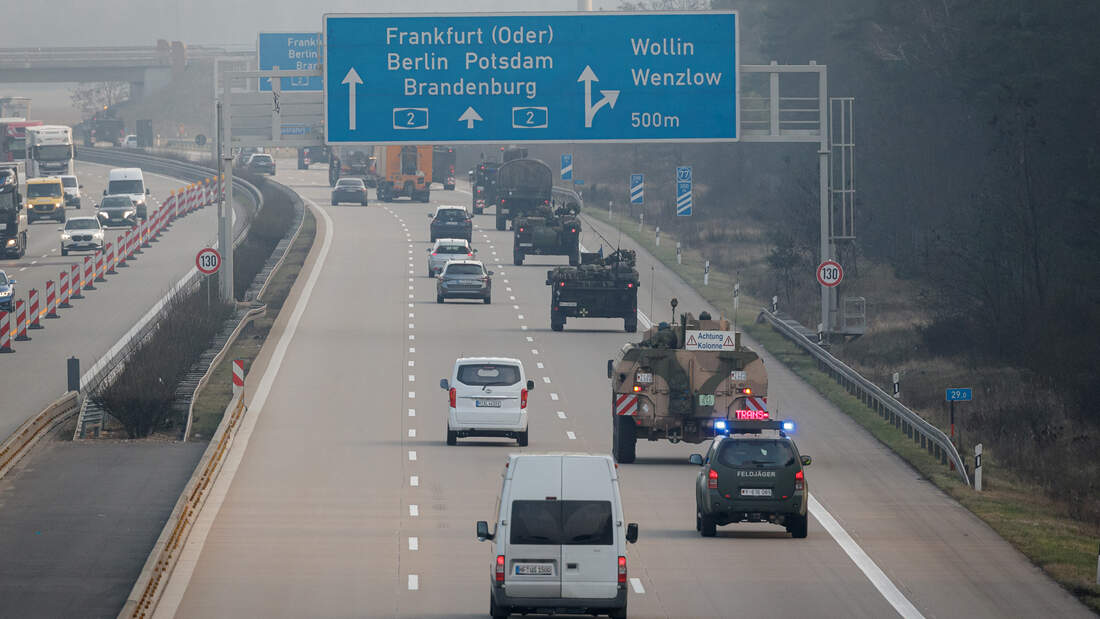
212, 402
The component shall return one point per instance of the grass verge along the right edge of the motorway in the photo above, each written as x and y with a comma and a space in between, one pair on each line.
1018, 511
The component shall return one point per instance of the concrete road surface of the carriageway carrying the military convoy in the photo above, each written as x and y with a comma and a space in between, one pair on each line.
342, 499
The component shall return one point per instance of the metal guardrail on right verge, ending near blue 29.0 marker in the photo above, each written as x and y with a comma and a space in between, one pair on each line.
912, 425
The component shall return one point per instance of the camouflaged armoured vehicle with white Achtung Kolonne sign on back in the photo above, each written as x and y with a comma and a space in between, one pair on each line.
666, 388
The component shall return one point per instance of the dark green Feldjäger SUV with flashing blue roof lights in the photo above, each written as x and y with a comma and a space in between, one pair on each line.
753, 473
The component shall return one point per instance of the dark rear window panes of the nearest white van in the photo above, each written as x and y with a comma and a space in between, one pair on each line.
564, 523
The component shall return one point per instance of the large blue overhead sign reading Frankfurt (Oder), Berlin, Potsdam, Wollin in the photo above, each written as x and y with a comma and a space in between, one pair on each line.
531, 78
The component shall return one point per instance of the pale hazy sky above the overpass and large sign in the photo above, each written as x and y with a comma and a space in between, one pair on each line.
142, 23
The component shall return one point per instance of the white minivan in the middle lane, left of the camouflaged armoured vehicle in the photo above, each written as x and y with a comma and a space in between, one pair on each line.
488, 399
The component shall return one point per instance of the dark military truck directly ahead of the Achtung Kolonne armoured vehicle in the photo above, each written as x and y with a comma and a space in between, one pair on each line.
600, 288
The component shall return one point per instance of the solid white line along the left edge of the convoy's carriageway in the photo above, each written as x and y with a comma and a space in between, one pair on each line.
177, 588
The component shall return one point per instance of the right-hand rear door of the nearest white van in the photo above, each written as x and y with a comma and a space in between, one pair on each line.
589, 551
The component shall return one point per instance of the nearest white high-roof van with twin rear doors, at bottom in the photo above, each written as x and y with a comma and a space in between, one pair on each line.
559, 538
